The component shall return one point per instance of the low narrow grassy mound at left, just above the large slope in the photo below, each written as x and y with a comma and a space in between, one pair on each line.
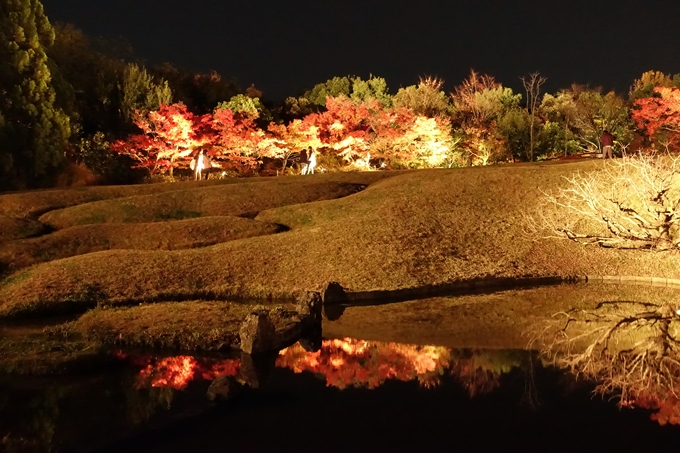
181, 234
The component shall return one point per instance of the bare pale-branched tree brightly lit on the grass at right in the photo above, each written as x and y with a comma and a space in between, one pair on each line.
629, 203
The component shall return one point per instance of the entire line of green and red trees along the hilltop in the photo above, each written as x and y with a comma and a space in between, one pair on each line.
72, 101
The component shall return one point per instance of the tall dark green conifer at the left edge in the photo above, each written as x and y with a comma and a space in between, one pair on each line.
33, 132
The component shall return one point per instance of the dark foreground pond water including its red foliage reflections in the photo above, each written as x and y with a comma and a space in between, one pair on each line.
351, 395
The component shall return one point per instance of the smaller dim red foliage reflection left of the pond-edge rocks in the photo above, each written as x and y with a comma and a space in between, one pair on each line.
176, 372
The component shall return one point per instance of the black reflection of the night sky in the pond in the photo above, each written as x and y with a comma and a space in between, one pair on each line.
299, 413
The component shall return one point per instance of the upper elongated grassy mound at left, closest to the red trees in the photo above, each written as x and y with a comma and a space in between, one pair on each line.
234, 199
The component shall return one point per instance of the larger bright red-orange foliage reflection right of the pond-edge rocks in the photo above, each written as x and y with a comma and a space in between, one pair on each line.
351, 362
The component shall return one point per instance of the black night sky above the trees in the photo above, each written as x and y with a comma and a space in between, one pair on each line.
285, 47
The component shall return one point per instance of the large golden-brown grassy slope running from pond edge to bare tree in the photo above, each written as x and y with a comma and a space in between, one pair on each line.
416, 228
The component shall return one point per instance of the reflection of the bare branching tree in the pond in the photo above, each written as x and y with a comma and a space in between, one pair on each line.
631, 349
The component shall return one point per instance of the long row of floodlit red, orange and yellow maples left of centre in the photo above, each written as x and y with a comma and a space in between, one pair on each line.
349, 129
